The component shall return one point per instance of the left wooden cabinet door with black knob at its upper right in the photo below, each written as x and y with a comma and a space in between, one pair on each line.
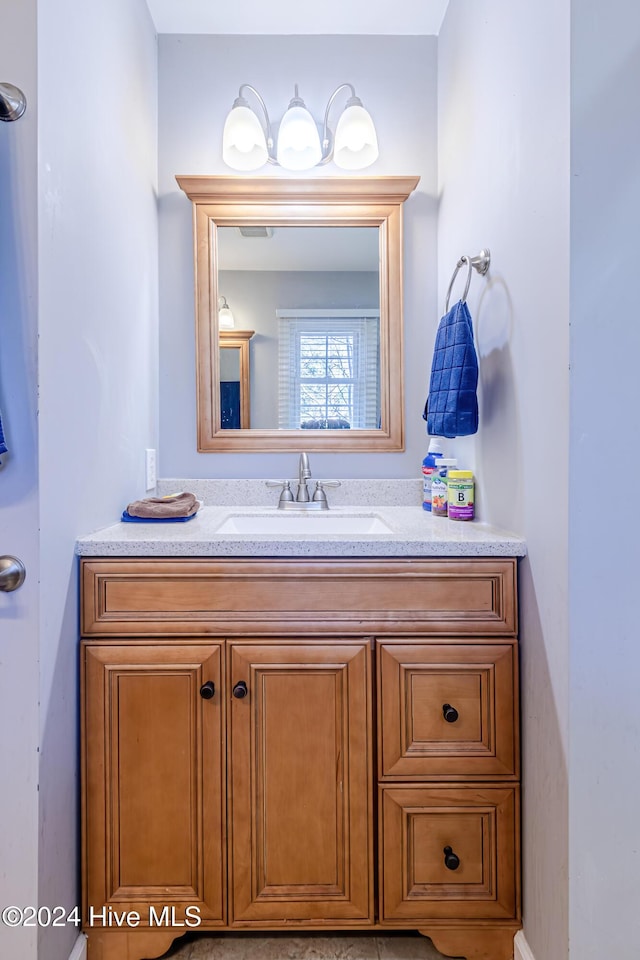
153, 781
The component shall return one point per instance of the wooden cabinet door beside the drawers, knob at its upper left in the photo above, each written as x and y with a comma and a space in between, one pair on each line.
301, 779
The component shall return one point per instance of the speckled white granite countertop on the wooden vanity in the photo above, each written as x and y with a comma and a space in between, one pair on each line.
414, 533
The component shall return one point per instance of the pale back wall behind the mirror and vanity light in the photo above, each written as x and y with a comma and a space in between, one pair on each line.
199, 80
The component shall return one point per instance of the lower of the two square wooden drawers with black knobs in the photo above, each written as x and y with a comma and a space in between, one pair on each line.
477, 826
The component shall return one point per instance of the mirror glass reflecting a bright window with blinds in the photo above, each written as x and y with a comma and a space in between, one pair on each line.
312, 296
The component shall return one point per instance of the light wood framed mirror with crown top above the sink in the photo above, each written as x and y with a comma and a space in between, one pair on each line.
314, 267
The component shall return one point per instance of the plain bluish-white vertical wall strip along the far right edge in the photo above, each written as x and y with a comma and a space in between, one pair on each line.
603, 516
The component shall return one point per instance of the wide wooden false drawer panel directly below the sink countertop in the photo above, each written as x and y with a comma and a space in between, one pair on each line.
174, 596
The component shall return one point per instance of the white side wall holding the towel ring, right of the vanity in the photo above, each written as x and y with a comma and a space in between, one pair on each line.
503, 80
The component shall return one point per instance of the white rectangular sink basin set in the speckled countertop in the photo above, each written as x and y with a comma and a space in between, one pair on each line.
303, 524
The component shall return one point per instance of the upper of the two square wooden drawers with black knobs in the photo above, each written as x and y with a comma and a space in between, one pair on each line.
447, 711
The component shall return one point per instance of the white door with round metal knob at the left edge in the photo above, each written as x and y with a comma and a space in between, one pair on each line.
19, 479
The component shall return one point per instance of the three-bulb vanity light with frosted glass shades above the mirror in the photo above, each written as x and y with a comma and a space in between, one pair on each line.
246, 145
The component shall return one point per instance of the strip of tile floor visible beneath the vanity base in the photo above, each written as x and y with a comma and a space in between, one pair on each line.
281, 946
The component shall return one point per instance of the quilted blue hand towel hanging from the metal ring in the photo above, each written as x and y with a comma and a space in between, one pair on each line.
452, 405
